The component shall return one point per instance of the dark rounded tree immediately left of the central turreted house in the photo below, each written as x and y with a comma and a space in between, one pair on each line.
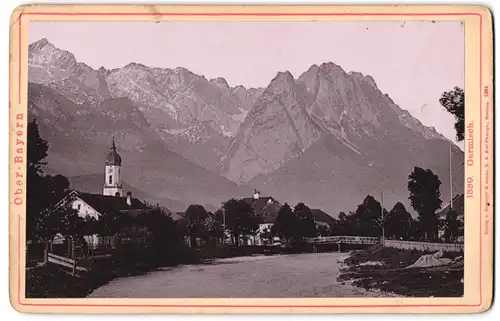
240, 219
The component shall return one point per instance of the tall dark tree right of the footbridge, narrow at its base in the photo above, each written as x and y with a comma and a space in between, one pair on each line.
423, 186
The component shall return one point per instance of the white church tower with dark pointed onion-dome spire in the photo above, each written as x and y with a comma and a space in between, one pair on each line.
112, 173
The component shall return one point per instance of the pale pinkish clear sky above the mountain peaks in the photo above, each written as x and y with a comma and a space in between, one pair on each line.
413, 62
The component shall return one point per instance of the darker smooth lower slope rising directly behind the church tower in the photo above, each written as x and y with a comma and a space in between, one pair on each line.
80, 136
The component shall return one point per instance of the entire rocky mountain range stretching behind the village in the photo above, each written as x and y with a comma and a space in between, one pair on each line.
327, 138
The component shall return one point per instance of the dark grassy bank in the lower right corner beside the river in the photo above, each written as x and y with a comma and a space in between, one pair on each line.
385, 269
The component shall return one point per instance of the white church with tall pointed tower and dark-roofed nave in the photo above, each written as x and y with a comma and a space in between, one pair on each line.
112, 200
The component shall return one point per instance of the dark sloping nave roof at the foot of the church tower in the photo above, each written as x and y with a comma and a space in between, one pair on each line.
107, 204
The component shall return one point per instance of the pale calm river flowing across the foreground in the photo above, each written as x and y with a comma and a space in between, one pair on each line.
285, 276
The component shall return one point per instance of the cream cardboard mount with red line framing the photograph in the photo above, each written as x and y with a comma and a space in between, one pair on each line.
478, 29
